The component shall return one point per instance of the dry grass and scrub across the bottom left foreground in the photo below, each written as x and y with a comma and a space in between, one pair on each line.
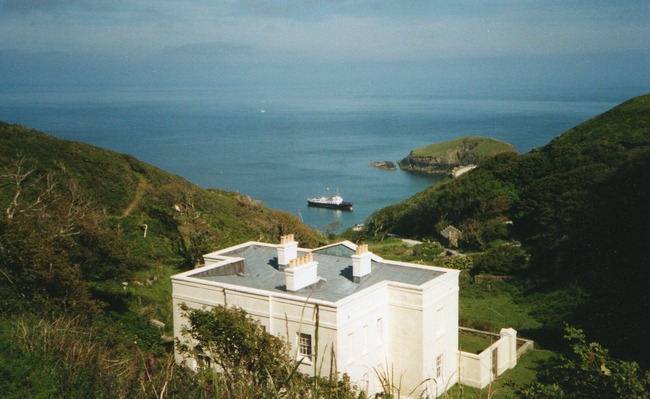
69, 358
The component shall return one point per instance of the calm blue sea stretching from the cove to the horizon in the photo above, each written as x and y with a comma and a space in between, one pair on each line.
282, 146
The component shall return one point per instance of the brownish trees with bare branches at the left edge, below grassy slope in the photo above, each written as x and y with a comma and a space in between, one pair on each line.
52, 243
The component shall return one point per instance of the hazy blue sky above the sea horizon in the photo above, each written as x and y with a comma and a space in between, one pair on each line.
62, 41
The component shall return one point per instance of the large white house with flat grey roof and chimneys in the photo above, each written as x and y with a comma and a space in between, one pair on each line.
376, 316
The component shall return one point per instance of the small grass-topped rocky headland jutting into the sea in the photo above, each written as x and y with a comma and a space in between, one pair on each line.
442, 158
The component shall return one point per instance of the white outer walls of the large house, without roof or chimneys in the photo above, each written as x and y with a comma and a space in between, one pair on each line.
390, 329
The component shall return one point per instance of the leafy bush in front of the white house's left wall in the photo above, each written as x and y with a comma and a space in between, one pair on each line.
250, 362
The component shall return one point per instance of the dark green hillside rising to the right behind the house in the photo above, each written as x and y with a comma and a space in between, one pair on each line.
579, 205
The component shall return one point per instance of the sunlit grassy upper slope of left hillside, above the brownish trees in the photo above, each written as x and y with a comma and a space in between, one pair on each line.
126, 188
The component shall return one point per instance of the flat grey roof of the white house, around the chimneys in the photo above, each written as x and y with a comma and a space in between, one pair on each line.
334, 269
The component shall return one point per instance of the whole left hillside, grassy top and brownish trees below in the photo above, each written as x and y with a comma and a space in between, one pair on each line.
74, 216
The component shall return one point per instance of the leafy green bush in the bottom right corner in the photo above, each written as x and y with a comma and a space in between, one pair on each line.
588, 371
